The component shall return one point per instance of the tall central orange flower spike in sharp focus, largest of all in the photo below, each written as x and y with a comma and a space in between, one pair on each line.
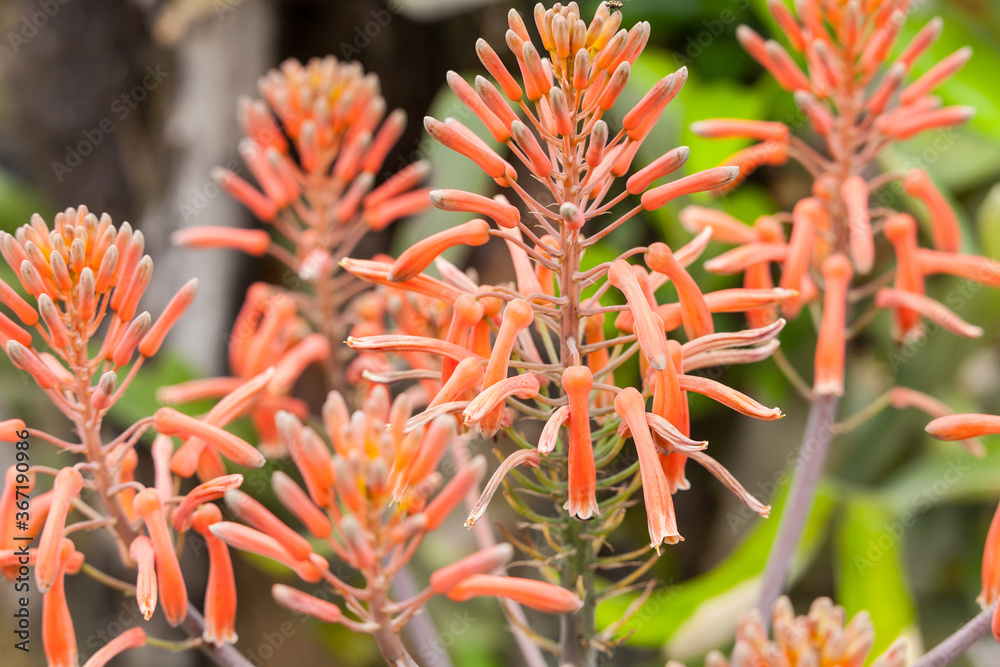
566, 146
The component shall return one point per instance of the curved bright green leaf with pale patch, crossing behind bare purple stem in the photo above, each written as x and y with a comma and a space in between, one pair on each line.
701, 613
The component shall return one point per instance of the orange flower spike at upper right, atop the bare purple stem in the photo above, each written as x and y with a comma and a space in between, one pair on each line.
857, 101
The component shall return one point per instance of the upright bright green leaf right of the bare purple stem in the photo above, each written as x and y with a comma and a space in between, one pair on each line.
870, 572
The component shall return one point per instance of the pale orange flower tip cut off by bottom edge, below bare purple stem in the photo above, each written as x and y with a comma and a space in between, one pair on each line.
822, 637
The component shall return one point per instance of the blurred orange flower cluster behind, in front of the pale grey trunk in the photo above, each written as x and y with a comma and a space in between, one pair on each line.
315, 144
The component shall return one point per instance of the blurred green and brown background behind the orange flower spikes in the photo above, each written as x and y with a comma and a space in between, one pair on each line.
125, 105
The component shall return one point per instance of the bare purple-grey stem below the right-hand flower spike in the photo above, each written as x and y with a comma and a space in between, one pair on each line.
808, 470
